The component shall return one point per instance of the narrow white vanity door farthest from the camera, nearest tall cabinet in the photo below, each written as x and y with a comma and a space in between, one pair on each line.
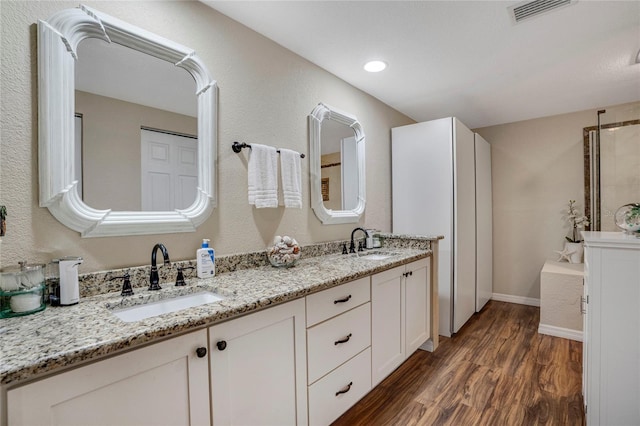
417, 312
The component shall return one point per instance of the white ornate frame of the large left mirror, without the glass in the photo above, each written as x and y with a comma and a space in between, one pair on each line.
59, 167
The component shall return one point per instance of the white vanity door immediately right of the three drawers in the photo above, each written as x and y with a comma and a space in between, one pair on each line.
387, 328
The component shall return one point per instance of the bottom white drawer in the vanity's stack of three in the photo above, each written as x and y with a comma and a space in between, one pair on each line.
354, 377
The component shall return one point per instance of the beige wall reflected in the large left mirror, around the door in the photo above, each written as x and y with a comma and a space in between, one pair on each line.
111, 155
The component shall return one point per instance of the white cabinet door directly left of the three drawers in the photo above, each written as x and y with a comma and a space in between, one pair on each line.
258, 368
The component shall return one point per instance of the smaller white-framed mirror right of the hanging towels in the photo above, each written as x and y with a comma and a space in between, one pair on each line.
337, 165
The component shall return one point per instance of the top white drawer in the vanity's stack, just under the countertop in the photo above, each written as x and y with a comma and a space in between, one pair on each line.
336, 300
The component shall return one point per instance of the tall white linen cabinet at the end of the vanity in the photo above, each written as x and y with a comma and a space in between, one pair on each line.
441, 183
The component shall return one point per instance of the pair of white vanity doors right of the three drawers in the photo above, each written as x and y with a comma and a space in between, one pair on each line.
401, 318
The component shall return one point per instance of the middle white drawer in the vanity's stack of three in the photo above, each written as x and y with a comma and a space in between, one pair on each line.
335, 341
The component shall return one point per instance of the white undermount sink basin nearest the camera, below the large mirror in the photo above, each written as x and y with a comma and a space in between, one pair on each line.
165, 306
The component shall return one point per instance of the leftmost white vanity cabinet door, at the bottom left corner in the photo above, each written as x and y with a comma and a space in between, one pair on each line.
162, 384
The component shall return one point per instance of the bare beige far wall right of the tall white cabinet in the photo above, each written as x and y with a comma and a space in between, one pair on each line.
537, 166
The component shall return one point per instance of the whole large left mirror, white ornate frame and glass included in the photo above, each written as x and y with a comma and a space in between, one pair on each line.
86, 62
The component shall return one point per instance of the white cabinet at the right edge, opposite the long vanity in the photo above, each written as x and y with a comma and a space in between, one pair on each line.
611, 367
